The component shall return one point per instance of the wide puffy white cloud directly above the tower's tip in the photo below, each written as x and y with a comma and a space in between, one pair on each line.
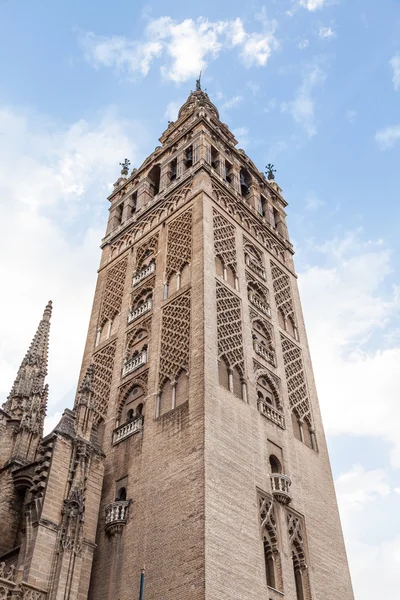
187, 46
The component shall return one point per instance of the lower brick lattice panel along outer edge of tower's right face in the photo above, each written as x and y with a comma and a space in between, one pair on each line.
296, 381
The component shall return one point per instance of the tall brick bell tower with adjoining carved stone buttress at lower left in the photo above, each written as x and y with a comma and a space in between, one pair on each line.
195, 446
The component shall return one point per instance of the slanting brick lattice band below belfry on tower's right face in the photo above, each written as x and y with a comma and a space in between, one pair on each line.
249, 222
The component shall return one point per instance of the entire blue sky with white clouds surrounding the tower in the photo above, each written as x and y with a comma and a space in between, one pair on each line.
310, 85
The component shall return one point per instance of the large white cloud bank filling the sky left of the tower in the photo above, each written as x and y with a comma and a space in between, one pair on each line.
53, 187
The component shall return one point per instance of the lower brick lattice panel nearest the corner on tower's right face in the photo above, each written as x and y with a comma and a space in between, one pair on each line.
229, 325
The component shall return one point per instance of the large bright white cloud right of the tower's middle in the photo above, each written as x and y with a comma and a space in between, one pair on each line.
345, 308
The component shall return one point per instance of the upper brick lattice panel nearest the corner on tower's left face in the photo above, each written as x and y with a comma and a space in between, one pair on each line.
179, 243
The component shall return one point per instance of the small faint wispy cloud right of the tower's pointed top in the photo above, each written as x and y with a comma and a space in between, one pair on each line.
302, 107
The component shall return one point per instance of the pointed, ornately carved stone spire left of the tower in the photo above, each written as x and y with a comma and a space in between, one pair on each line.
29, 393
